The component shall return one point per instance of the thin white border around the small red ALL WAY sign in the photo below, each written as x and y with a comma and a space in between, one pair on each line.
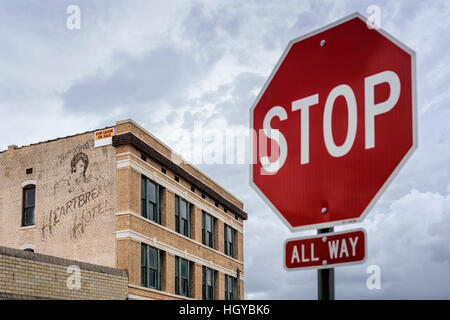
331, 265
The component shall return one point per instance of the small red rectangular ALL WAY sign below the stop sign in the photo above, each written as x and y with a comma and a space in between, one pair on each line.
325, 250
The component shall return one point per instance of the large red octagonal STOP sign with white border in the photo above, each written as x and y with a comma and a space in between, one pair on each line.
334, 123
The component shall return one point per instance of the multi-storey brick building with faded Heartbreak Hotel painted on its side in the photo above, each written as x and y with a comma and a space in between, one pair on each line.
119, 198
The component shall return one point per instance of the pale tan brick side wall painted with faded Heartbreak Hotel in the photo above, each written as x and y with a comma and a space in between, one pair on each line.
74, 213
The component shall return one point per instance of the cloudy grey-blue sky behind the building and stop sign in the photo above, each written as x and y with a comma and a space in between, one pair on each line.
172, 64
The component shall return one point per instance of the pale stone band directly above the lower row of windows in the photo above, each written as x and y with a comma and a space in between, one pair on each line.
130, 234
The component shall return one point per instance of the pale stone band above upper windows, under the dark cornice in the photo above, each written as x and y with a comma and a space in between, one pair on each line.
178, 189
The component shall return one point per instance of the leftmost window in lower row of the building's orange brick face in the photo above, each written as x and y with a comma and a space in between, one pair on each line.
150, 267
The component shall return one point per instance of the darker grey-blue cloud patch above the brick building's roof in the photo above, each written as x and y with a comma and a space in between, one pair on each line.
161, 74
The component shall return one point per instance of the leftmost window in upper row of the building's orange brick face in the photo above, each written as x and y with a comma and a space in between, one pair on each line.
150, 200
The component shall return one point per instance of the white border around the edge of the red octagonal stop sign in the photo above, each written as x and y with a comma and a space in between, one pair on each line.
396, 170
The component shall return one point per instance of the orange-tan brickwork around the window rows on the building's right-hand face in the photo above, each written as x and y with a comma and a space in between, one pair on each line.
174, 240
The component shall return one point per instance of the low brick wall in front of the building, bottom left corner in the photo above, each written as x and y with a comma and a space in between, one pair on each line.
28, 275
